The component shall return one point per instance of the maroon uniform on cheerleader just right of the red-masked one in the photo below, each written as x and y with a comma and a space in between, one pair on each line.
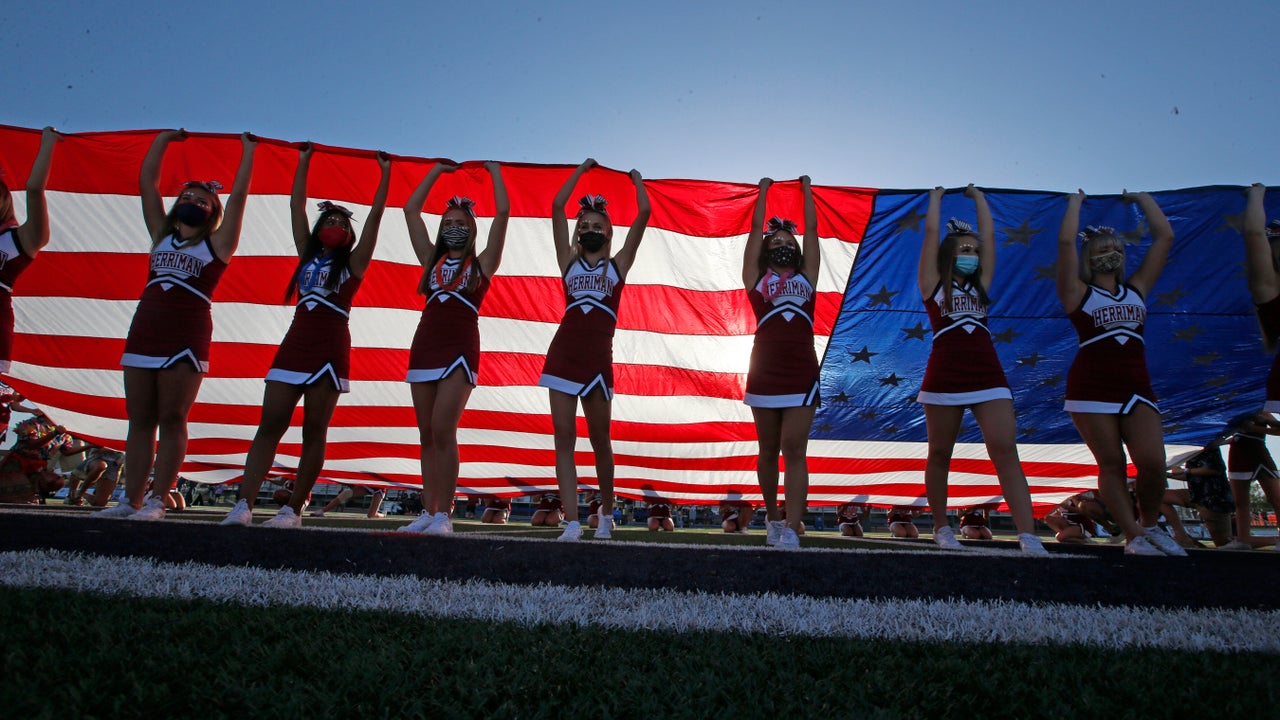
449, 335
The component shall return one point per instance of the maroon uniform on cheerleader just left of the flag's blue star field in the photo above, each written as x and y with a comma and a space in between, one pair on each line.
784, 371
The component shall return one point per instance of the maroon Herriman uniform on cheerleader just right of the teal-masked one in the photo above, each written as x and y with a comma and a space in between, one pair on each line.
1109, 373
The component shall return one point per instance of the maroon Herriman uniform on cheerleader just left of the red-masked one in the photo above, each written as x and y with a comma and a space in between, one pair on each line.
173, 322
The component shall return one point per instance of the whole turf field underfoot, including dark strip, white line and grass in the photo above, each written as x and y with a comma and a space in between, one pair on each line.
113, 654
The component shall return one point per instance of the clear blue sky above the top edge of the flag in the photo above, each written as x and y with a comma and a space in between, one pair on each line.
1013, 94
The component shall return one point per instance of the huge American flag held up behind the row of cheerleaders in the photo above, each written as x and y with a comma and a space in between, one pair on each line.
680, 430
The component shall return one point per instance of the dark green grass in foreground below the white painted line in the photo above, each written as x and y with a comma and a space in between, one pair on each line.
74, 655
